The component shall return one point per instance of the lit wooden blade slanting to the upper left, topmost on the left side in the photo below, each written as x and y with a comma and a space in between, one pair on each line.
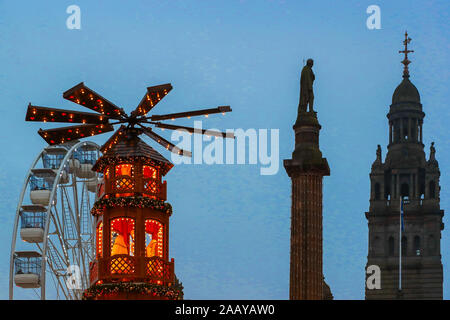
88, 98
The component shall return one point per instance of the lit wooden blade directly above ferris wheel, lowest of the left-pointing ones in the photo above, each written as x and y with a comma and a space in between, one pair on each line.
65, 134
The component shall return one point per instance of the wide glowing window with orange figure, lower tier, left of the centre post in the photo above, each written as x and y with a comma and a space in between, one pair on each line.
122, 236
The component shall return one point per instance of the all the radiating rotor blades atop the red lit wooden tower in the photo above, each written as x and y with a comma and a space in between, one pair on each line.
93, 124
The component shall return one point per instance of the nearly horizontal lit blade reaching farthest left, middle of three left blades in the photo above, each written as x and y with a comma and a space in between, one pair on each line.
45, 114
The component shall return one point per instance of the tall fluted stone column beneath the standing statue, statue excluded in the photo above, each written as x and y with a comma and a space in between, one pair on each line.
306, 170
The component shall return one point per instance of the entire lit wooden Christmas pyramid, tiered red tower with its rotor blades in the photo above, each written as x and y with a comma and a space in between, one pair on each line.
131, 216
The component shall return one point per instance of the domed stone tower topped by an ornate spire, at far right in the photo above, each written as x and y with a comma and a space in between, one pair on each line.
408, 174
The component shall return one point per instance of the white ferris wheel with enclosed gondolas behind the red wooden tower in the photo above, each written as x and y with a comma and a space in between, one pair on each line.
55, 224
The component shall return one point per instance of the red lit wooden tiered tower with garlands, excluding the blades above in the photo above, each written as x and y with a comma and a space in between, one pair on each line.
132, 225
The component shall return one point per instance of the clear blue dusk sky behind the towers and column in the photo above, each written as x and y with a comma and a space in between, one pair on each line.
230, 227
